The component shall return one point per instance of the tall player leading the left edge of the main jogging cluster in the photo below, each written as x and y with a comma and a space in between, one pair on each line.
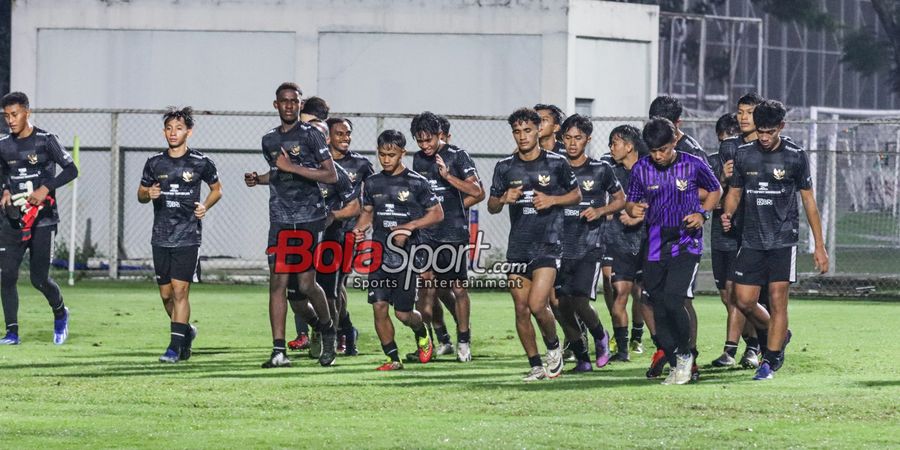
298, 159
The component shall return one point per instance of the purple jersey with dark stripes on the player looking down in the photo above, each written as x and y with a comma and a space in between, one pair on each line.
671, 193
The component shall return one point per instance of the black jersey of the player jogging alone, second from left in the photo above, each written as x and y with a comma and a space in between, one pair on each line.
174, 223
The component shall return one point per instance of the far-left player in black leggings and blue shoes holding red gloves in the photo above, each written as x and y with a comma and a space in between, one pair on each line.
28, 160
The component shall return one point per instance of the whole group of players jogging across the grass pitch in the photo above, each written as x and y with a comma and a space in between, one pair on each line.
633, 219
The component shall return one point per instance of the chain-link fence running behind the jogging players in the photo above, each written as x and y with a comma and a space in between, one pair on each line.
855, 163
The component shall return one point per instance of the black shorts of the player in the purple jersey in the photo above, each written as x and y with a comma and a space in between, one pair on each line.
671, 276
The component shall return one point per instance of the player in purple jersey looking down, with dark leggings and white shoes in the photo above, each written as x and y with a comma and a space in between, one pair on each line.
664, 191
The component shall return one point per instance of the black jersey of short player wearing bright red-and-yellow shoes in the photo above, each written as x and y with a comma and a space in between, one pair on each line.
397, 199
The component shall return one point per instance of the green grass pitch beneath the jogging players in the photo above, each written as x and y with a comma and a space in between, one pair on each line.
840, 386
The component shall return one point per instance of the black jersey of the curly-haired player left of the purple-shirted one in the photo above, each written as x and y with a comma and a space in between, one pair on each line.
549, 173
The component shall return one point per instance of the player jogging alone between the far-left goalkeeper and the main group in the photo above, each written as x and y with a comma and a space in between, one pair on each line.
172, 180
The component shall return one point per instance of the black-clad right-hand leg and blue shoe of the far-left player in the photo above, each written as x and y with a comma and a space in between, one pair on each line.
41, 247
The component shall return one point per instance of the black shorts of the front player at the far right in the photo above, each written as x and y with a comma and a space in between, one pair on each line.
761, 267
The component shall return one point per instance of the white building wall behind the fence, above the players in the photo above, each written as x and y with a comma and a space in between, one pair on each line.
483, 57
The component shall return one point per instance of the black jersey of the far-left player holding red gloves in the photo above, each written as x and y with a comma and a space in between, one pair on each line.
33, 159
